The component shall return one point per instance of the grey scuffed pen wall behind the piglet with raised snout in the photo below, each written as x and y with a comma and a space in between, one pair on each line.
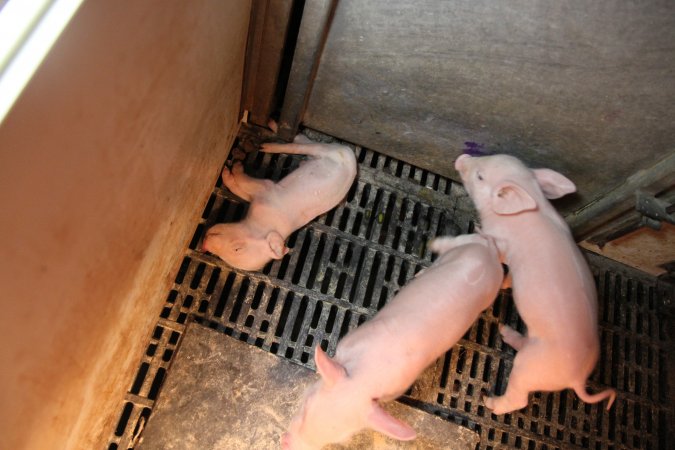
585, 88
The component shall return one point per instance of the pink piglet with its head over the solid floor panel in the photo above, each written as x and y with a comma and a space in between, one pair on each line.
379, 360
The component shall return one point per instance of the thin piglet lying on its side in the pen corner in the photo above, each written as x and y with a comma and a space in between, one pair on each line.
278, 209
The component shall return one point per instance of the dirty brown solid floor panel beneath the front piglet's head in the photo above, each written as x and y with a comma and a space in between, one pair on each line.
223, 394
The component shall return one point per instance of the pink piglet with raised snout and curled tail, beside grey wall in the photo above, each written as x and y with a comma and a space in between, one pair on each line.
553, 288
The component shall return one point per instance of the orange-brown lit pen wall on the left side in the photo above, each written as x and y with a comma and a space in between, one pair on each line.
106, 162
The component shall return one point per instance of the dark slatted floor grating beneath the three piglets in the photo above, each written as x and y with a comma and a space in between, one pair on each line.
345, 265
